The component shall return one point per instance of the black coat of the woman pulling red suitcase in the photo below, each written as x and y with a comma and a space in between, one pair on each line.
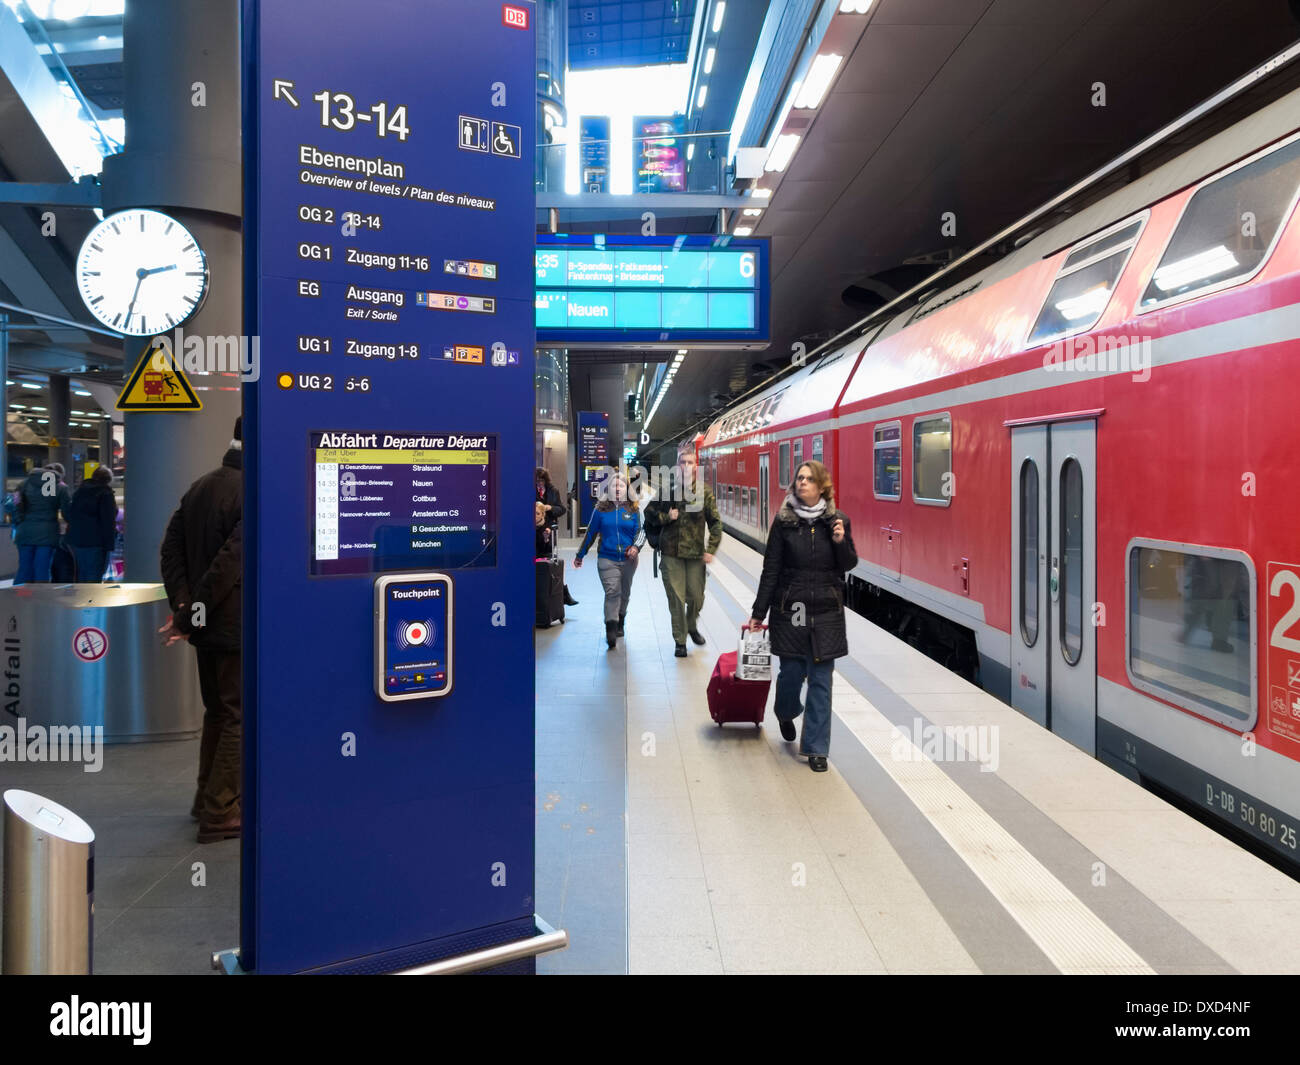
803, 585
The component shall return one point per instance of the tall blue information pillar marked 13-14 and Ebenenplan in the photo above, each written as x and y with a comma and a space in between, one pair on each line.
389, 483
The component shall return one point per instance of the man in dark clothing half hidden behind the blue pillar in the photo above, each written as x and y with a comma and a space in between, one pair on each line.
203, 575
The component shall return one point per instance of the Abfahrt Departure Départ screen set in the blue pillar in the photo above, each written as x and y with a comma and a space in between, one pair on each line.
402, 501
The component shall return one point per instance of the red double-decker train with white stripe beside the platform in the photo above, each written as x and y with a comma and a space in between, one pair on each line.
1076, 475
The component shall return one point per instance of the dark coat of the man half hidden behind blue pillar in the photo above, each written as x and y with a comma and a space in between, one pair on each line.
203, 557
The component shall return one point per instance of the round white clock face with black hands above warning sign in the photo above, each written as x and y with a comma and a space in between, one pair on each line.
142, 272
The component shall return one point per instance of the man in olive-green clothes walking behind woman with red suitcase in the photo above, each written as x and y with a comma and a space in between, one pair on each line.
678, 526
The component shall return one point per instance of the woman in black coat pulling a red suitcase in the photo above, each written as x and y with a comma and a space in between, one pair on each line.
809, 551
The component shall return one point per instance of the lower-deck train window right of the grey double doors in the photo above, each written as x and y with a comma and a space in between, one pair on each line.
1193, 629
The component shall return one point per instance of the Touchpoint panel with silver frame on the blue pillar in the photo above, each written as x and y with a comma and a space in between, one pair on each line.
413, 637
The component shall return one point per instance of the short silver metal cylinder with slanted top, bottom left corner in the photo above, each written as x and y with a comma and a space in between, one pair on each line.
49, 887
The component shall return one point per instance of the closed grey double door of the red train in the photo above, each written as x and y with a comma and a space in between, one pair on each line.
1054, 578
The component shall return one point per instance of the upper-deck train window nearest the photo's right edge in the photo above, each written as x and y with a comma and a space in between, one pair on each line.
1229, 228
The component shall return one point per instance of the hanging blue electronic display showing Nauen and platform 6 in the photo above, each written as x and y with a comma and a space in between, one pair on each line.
639, 289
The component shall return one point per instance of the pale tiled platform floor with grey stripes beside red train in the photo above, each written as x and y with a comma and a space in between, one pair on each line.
740, 860
